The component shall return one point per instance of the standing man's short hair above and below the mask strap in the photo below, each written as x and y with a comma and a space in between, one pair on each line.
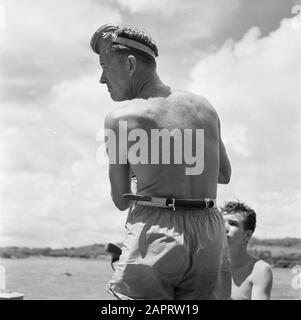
139, 36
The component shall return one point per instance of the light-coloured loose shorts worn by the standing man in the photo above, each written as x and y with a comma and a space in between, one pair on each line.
170, 255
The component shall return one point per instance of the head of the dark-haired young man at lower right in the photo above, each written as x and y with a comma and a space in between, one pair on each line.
240, 222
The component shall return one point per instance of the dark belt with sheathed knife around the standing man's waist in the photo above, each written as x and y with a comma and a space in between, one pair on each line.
171, 203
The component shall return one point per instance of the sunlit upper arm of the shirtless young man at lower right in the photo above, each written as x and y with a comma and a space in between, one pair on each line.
262, 283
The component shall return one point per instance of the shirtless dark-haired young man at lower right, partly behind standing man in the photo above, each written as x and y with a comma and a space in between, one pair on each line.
251, 277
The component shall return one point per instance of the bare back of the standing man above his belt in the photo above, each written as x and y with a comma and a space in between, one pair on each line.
180, 110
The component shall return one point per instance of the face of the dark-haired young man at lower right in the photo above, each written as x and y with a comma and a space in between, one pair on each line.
235, 231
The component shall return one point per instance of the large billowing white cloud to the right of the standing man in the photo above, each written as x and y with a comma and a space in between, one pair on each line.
254, 84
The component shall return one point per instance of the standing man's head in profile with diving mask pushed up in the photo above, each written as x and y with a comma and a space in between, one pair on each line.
124, 55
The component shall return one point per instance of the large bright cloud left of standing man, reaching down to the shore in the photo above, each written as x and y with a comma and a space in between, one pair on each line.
51, 182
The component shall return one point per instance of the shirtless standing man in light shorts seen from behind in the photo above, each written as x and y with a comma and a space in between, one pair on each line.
175, 233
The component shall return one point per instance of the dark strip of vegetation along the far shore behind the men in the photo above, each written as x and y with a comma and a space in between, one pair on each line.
282, 253
